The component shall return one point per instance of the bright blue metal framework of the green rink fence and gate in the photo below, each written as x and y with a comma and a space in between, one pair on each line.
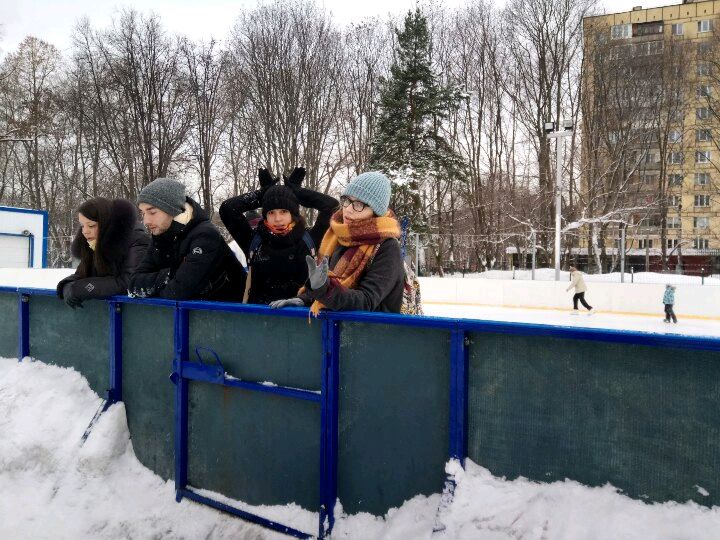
185, 371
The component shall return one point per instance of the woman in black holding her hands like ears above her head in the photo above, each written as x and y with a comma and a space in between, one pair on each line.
276, 248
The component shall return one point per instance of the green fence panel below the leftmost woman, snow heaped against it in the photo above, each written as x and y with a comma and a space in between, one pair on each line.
77, 338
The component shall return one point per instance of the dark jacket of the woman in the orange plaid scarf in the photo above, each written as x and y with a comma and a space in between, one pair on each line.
379, 289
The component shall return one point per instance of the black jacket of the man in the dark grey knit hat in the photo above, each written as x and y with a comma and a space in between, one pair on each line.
189, 262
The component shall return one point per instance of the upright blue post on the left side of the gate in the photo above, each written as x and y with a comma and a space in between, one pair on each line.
182, 327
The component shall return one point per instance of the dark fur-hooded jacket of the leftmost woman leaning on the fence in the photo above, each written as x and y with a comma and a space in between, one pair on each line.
122, 245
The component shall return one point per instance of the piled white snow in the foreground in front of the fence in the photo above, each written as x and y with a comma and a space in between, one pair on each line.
51, 487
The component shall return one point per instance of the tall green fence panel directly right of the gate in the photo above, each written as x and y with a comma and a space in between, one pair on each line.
393, 415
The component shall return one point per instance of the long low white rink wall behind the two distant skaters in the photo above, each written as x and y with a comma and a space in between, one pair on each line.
639, 298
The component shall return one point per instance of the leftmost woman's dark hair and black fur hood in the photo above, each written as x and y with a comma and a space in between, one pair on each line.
116, 220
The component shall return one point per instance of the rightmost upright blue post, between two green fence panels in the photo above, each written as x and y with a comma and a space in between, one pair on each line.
458, 394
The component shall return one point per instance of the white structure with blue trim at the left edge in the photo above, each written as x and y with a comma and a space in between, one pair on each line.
23, 238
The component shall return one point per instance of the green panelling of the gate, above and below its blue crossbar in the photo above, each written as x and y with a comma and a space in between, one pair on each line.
256, 447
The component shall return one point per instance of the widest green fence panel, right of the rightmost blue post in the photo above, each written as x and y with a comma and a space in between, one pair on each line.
644, 419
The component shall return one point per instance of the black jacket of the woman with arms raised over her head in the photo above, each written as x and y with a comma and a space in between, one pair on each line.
278, 267
